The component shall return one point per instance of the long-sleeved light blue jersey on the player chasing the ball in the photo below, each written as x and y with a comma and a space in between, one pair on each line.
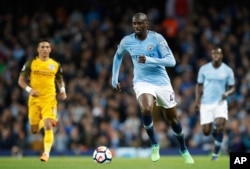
158, 55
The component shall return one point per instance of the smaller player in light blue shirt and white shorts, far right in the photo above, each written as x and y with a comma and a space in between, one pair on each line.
215, 82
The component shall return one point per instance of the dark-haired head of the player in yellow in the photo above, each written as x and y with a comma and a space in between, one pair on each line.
44, 48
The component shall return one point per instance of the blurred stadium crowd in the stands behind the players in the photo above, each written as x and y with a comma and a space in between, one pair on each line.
85, 35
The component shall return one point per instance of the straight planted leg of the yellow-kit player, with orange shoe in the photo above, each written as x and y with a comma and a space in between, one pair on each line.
49, 115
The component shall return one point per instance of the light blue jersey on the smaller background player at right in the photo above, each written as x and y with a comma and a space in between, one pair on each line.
215, 82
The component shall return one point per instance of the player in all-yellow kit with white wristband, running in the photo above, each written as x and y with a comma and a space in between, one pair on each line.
39, 78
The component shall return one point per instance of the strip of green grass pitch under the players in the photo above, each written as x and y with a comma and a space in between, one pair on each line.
85, 162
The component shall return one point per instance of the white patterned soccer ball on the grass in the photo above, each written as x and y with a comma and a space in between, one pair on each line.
102, 154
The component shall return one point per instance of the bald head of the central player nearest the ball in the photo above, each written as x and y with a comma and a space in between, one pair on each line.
140, 24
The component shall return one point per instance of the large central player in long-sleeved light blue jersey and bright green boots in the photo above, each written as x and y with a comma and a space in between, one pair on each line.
150, 54
